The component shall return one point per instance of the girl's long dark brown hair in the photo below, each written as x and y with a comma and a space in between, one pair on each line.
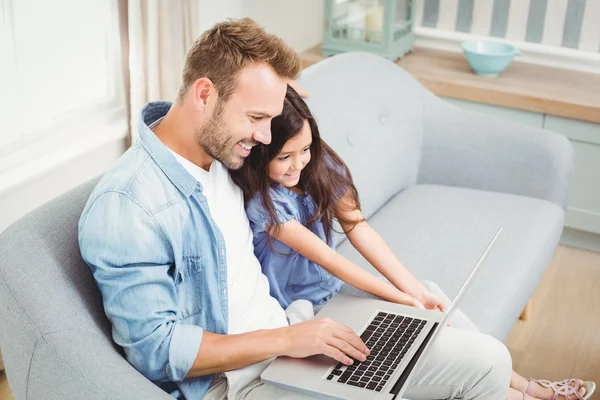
326, 177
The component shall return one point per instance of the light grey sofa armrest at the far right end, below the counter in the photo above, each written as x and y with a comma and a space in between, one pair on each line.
472, 150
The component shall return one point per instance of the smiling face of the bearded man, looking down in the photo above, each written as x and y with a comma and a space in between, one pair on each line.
245, 119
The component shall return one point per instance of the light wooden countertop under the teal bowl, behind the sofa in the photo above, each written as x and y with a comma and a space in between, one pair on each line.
529, 87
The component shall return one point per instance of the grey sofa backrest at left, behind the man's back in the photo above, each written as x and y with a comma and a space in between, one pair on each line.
45, 286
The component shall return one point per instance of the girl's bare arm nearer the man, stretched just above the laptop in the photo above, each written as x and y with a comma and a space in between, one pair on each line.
297, 237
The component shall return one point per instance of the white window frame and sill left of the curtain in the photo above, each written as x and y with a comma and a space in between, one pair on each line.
76, 133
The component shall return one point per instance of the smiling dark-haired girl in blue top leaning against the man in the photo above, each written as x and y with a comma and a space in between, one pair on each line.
294, 189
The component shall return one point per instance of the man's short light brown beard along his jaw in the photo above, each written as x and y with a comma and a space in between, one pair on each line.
217, 143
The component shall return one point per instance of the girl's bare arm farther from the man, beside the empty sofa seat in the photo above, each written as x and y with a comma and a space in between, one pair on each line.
376, 251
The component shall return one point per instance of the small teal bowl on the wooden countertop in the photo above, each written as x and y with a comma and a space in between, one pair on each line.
488, 58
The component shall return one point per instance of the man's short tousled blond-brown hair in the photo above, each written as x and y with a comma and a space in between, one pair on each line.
224, 50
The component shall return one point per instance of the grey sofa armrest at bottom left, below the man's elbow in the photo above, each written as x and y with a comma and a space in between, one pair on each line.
78, 364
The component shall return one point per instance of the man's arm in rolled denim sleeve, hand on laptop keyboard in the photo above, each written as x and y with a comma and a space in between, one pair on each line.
129, 258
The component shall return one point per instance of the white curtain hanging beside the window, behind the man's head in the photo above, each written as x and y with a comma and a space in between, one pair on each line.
160, 32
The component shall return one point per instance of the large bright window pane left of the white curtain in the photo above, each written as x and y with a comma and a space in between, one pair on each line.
61, 57
